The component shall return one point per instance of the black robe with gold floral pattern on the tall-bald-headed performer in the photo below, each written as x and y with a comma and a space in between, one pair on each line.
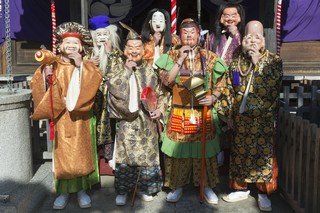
252, 148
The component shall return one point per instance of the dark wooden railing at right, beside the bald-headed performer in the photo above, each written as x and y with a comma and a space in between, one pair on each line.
298, 145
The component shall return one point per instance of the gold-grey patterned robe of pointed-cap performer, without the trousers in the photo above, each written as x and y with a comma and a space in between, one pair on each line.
137, 136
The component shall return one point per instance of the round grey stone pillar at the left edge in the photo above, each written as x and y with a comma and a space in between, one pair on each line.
15, 137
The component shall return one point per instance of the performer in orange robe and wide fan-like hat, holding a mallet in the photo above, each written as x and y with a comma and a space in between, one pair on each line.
72, 83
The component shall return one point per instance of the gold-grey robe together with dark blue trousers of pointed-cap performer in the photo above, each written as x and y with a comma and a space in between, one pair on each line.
137, 139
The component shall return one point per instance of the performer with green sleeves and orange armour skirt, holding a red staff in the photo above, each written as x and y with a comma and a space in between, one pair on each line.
183, 133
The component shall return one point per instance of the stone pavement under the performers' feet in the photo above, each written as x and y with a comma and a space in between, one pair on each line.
38, 196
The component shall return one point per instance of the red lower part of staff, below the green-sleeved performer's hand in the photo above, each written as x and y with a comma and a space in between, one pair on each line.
203, 153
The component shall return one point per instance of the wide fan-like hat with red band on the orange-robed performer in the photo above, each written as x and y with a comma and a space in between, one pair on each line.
73, 29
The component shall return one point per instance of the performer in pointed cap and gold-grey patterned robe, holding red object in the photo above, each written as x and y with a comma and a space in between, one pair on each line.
137, 138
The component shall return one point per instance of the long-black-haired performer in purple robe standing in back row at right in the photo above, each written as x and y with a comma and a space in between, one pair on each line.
225, 41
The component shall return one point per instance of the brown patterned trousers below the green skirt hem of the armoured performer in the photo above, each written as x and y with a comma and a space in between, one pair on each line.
179, 171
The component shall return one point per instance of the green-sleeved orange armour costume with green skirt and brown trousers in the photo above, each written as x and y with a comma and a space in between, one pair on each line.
182, 138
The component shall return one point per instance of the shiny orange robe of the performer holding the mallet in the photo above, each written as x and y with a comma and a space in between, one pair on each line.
73, 149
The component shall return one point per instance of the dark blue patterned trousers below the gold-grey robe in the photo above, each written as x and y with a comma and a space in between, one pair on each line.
150, 179
